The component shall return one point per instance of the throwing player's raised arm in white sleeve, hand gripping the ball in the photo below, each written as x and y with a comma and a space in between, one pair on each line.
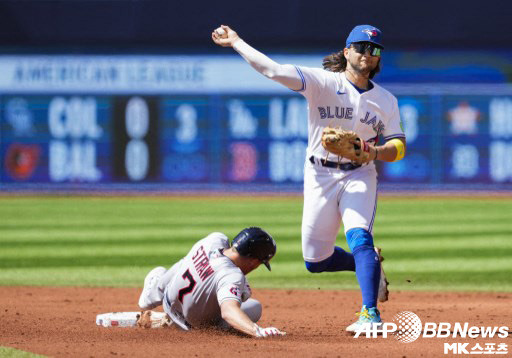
287, 75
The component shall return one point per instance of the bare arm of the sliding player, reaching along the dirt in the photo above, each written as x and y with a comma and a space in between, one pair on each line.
236, 318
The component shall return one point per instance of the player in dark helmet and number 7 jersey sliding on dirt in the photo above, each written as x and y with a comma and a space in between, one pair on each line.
208, 286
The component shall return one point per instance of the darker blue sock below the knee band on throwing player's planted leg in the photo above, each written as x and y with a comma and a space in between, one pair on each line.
368, 273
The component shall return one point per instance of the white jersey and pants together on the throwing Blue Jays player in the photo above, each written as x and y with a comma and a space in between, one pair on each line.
332, 196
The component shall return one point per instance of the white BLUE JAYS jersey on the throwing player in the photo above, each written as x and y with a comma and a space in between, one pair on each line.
334, 101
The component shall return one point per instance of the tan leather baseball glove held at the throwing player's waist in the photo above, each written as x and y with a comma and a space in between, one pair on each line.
346, 144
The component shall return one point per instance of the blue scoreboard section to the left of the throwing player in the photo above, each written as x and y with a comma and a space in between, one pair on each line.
183, 139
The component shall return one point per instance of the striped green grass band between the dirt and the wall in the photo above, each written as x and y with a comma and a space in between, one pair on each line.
437, 243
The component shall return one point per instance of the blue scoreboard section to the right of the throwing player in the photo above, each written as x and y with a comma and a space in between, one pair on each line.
455, 139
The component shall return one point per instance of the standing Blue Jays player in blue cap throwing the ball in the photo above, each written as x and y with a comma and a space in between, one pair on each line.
339, 191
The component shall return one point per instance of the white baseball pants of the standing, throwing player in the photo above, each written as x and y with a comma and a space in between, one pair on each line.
330, 197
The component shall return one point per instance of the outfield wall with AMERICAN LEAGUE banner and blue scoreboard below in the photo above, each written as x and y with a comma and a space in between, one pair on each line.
212, 122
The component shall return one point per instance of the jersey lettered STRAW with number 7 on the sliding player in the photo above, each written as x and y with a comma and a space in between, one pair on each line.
204, 279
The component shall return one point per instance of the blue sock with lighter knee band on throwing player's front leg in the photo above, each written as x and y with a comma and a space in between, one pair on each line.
367, 262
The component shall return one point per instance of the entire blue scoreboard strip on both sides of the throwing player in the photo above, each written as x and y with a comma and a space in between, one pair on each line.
228, 139
